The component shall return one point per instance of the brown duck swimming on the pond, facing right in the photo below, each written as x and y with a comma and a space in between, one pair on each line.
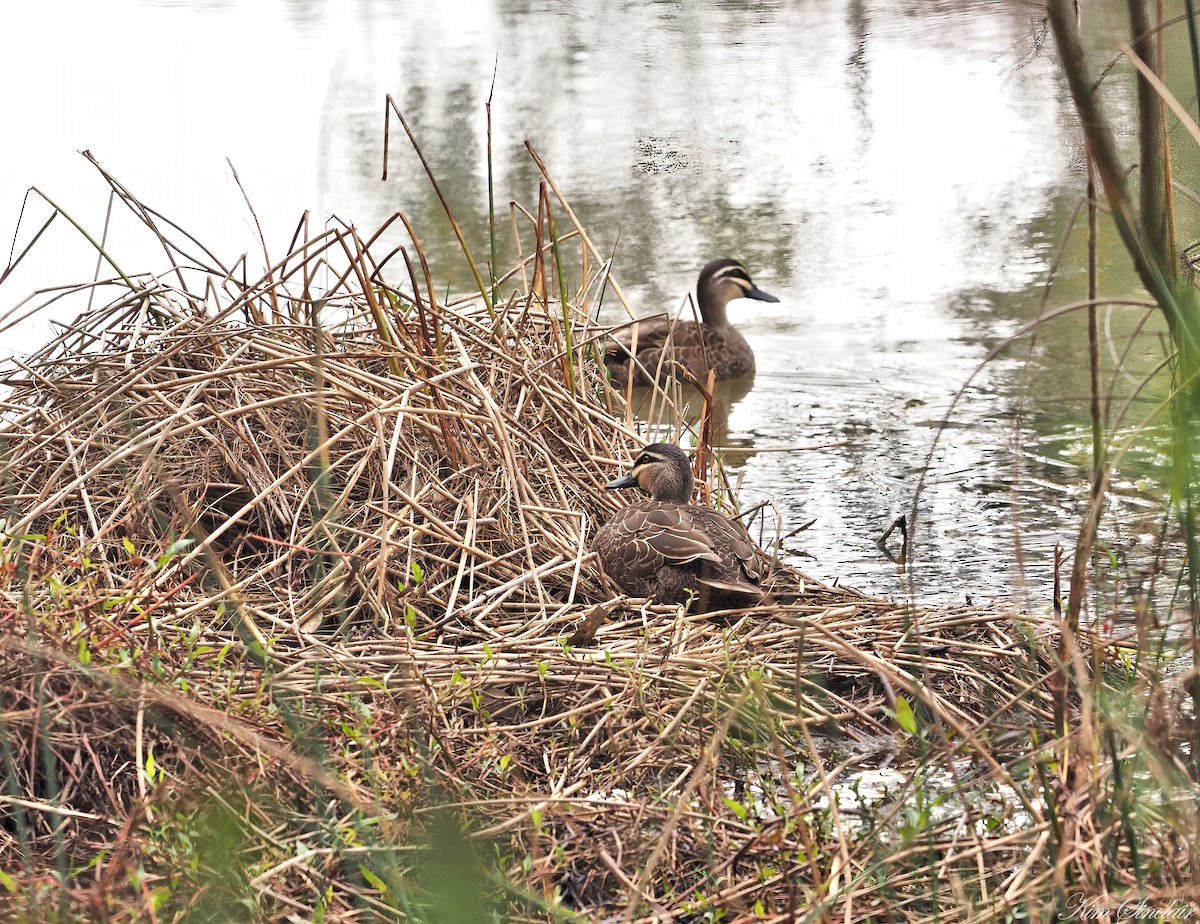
715, 344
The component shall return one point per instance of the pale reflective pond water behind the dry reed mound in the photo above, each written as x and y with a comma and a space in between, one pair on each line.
898, 175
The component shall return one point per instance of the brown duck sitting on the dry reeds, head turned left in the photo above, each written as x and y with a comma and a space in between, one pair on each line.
671, 550
